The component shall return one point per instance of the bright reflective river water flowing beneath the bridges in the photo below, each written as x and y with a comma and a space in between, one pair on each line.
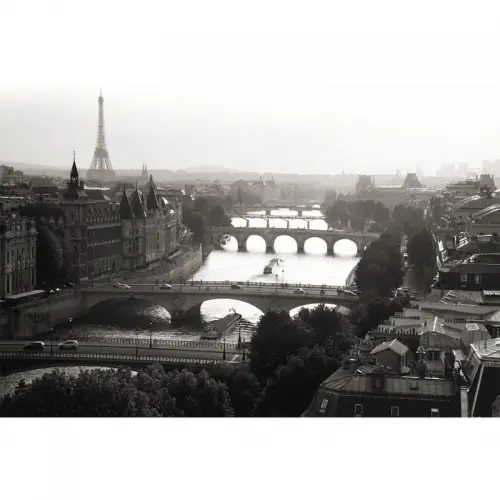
313, 266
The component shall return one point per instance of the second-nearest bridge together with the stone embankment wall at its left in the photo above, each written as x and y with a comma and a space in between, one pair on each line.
182, 300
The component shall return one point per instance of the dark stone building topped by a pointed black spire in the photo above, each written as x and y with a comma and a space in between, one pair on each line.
92, 229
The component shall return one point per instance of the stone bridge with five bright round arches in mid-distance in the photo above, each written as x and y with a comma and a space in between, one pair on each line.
269, 235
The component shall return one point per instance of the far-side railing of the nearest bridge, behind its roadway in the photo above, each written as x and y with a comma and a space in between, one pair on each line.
132, 341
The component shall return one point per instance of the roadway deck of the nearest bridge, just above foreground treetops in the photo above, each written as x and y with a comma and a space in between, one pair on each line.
135, 352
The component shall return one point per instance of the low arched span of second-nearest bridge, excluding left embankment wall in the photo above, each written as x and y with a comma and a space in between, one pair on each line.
187, 301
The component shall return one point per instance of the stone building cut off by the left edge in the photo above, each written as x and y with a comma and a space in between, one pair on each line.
17, 255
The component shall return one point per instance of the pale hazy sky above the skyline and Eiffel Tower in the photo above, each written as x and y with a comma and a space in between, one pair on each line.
298, 86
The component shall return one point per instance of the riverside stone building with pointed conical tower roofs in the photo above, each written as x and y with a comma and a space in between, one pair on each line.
150, 226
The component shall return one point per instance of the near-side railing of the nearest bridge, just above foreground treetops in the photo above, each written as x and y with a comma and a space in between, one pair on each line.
87, 356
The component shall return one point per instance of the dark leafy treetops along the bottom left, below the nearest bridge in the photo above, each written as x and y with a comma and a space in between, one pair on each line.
119, 393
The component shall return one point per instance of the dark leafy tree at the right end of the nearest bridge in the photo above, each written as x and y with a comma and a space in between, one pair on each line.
276, 338
